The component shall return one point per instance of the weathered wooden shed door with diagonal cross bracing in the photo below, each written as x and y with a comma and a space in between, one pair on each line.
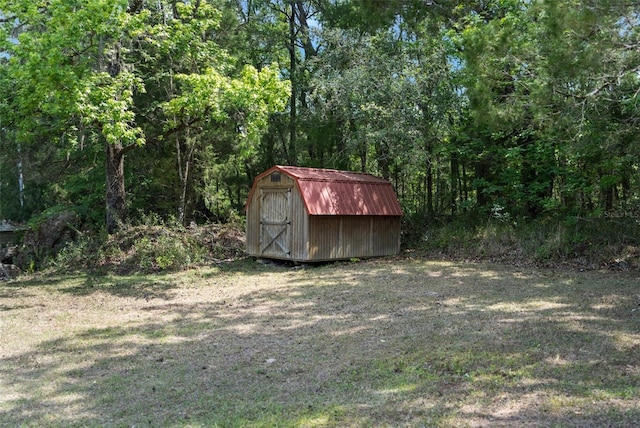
275, 223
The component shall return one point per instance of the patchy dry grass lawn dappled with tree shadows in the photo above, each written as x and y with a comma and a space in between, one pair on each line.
374, 343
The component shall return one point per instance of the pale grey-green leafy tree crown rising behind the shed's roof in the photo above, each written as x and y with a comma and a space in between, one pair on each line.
389, 128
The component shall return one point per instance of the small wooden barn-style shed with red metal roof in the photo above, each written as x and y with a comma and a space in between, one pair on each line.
311, 214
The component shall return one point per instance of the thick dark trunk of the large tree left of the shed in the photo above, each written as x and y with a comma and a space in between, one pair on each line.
116, 205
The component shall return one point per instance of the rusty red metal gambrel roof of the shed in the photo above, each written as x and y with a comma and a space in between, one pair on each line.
333, 192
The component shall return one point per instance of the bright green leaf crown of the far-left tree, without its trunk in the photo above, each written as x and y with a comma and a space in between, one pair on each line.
53, 65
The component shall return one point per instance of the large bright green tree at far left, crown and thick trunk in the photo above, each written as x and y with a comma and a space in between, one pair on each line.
69, 65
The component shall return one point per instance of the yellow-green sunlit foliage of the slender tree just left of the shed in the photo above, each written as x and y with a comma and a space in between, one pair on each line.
246, 102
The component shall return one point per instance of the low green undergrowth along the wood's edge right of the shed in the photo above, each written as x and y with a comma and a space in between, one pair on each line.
588, 242
